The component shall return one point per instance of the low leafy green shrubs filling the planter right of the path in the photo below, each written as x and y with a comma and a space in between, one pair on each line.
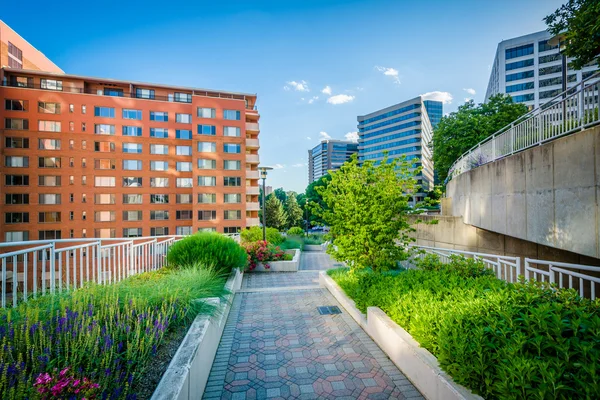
501, 340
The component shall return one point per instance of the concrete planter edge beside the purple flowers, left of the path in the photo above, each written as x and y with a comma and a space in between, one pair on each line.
187, 374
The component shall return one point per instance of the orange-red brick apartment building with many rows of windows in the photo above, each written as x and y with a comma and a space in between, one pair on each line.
94, 157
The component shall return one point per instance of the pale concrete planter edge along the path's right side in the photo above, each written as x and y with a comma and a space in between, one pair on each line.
419, 365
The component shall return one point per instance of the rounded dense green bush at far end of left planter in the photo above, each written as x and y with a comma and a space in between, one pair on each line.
209, 249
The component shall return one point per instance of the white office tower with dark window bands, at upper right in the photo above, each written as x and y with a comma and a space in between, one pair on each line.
530, 70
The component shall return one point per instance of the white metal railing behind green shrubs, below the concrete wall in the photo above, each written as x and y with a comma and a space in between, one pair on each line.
583, 278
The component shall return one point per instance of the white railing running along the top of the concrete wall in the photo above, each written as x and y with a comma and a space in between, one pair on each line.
572, 110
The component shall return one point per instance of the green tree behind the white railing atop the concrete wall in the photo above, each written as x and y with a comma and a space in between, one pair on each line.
470, 124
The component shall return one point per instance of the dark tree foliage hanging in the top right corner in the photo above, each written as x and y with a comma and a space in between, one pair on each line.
579, 20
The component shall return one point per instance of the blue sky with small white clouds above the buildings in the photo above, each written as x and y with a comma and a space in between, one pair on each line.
315, 65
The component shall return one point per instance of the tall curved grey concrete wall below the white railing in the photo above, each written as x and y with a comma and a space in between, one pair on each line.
548, 194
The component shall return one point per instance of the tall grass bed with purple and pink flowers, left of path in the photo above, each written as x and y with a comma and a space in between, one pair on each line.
103, 336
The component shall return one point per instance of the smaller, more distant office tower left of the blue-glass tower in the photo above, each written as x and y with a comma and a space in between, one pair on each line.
328, 155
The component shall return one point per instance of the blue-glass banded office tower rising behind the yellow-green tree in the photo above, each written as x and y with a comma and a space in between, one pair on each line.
404, 129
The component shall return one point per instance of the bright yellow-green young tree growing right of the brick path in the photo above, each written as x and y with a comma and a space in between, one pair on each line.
366, 210
